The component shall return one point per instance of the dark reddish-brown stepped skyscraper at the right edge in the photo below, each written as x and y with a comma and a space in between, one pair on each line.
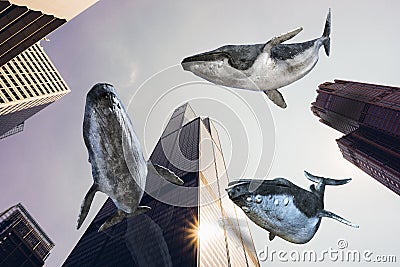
369, 115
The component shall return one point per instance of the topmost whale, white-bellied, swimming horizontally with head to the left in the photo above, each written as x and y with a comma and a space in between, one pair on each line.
261, 67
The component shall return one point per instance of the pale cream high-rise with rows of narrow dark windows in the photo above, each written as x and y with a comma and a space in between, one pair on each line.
28, 83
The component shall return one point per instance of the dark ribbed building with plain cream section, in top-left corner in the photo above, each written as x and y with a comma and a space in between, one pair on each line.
24, 22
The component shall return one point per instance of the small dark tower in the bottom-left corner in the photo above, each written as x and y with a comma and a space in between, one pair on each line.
22, 241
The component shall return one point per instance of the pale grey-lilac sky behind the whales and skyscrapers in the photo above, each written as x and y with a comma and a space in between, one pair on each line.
138, 45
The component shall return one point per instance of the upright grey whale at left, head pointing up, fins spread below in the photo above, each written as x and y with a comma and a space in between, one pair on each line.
119, 168
